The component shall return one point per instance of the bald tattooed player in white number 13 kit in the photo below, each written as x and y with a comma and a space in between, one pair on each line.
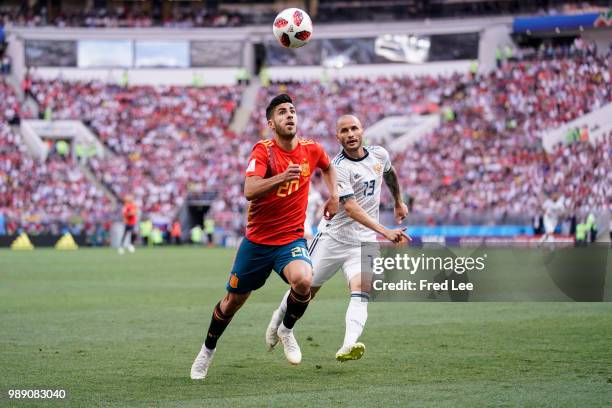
360, 174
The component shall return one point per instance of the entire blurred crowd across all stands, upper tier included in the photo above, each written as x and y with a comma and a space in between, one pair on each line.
484, 164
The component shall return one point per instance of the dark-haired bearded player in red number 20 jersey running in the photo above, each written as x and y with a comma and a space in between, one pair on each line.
277, 183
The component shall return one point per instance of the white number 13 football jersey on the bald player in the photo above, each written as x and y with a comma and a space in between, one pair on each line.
363, 180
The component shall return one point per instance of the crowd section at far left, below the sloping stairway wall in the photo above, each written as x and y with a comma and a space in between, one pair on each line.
42, 196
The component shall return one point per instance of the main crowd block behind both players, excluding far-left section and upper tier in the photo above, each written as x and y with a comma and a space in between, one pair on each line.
485, 163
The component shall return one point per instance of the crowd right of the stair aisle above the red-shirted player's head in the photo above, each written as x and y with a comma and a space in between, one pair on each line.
485, 162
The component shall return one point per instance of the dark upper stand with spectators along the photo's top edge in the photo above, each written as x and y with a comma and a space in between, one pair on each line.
232, 13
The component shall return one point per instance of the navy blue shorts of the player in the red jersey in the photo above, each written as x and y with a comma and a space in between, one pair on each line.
254, 262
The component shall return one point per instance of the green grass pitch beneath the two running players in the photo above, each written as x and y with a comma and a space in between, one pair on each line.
120, 331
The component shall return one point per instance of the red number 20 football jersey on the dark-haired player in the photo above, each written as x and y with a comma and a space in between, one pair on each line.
277, 218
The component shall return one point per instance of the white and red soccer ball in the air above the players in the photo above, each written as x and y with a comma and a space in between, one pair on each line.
292, 28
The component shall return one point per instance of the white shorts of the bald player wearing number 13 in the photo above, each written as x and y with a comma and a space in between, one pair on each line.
328, 256
